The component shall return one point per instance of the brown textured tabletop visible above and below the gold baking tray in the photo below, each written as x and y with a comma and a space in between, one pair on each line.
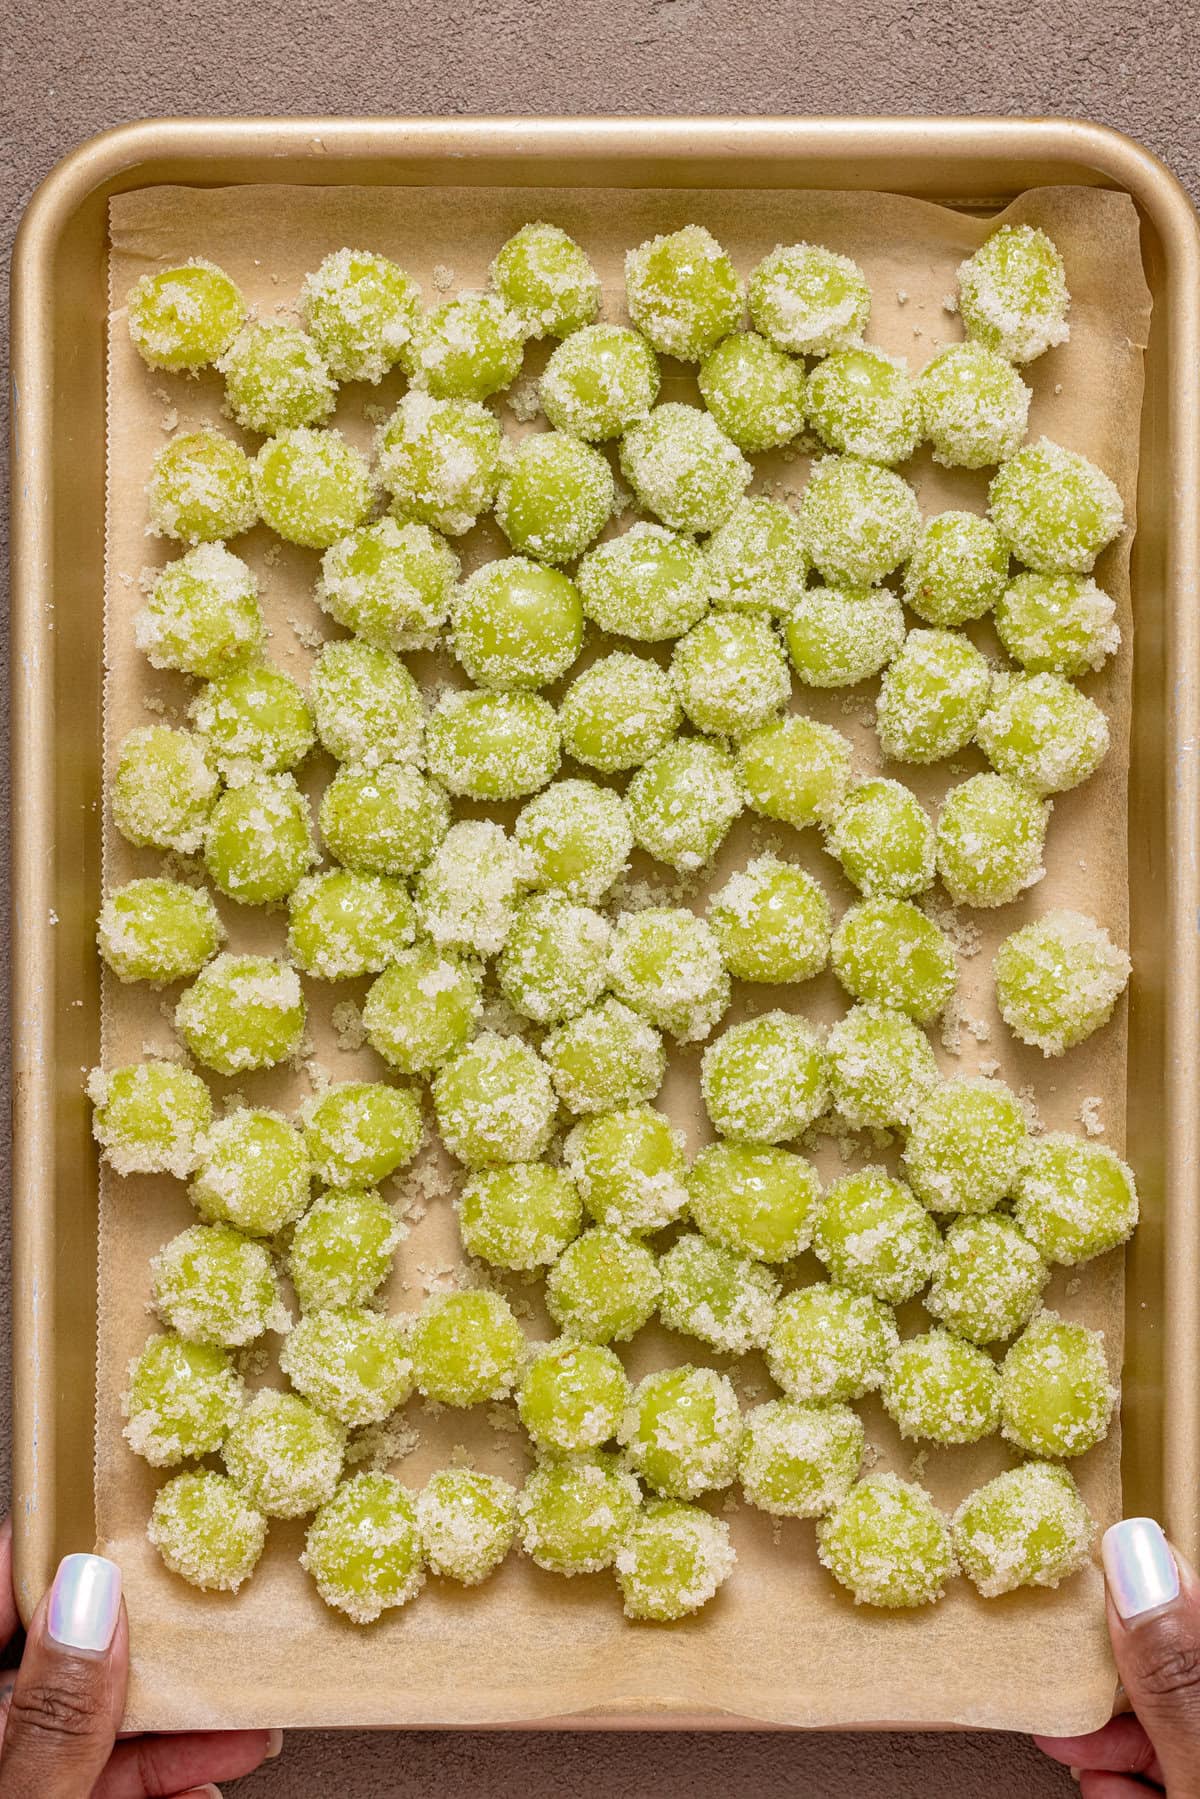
75, 67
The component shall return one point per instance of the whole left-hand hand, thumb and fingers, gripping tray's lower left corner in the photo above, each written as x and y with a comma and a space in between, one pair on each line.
60, 1712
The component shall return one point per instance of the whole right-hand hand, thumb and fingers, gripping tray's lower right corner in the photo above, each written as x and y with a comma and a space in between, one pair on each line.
1154, 1622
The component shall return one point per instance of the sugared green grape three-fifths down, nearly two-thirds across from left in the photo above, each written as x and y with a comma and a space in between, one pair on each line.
766, 1080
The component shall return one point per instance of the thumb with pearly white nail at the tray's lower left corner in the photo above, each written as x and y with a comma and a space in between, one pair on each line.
69, 1692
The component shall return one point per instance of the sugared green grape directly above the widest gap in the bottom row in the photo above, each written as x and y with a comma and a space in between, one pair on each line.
800, 1462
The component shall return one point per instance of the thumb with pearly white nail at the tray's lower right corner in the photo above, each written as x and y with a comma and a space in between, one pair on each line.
1154, 1620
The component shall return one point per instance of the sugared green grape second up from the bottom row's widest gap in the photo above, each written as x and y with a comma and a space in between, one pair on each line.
830, 1345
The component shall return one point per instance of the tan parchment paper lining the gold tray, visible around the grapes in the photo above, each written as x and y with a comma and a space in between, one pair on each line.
782, 1643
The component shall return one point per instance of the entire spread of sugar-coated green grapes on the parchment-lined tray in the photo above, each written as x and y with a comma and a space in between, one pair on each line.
569, 1167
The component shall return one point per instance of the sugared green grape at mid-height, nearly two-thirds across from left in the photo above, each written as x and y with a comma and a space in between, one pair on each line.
773, 922
